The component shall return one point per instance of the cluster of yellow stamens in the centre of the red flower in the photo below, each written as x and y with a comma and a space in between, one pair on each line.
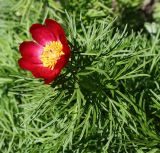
51, 53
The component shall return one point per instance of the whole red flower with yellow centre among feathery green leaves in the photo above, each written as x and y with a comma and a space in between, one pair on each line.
48, 54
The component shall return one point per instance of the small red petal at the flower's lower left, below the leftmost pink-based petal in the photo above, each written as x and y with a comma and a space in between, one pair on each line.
27, 65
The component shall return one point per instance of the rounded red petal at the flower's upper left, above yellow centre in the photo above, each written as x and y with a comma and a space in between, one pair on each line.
41, 34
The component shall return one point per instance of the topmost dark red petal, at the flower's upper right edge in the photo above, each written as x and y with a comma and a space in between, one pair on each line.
55, 28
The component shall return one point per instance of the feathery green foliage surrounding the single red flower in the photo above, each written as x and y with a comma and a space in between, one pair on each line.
107, 99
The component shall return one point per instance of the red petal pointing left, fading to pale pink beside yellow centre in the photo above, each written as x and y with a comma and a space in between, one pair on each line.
30, 49
